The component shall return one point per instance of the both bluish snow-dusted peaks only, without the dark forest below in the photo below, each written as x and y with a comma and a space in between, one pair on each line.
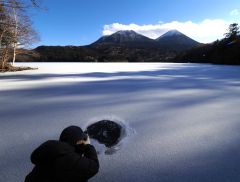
173, 40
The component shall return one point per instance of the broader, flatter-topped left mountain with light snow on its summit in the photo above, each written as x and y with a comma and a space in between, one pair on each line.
125, 38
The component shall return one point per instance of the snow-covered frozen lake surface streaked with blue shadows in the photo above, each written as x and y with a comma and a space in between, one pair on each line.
185, 118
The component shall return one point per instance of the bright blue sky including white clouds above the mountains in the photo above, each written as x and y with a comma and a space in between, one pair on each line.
80, 22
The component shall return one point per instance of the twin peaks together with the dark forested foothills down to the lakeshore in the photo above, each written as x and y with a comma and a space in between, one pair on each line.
122, 46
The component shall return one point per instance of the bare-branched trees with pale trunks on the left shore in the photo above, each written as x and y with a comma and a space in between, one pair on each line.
16, 30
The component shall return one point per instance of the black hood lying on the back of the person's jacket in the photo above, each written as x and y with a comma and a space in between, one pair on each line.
49, 151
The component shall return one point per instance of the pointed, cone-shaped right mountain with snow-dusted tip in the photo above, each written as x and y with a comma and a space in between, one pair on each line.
175, 40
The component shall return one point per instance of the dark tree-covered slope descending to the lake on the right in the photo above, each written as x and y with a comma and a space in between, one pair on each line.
224, 51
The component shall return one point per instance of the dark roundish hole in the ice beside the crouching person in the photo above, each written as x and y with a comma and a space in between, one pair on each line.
106, 132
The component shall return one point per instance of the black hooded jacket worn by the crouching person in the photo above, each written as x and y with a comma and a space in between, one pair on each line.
57, 161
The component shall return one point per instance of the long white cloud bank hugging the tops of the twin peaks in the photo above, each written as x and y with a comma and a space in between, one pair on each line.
205, 31
